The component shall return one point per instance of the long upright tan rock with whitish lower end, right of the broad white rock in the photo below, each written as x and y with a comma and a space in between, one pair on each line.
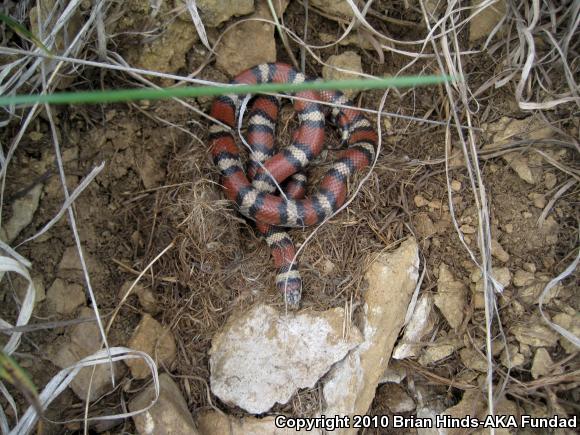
350, 387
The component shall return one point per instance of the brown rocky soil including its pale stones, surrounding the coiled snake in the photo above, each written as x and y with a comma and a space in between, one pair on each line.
230, 356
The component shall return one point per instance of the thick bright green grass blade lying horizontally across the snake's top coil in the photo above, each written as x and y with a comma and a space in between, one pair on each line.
118, 95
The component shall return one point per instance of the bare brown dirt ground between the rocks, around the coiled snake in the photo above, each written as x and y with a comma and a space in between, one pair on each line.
159, 188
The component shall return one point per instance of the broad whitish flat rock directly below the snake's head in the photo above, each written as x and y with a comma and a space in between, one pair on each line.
264, 357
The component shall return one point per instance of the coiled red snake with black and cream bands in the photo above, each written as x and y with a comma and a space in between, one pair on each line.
271, 188
